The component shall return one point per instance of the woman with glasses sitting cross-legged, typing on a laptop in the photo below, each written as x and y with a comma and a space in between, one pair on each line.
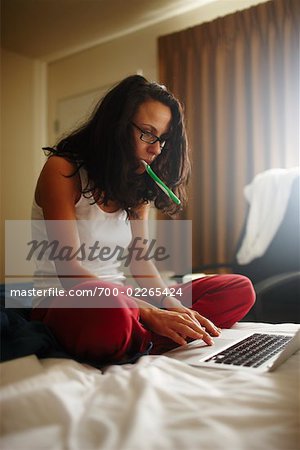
93, 188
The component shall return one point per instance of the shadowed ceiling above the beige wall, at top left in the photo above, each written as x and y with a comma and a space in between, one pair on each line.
48, 29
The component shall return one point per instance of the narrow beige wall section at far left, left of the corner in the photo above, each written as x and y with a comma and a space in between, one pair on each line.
22, 131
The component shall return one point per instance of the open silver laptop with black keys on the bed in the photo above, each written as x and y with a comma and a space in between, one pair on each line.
240, 350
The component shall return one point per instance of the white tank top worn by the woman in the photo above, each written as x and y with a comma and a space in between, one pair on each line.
97, 229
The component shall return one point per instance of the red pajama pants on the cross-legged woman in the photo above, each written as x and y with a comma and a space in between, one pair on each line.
114, 334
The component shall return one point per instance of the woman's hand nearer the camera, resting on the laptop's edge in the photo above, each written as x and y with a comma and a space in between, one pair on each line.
175, 325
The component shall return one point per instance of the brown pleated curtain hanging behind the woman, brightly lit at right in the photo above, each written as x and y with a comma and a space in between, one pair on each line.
238, 80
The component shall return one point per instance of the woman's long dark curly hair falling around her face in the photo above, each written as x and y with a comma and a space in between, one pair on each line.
104, 147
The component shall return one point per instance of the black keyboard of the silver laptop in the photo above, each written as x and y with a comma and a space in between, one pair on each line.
252, 351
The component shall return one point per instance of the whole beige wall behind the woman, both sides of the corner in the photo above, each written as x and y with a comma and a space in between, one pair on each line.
25, 88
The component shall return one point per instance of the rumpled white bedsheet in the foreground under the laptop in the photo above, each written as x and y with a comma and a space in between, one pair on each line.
158, 403
